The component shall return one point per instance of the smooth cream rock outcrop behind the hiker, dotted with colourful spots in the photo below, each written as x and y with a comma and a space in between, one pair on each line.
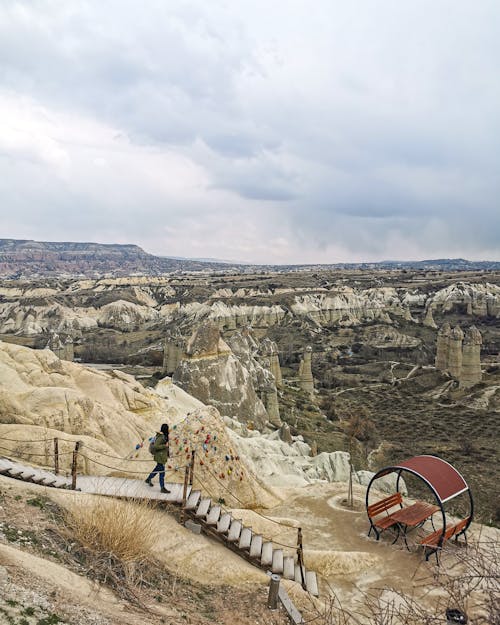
42, 397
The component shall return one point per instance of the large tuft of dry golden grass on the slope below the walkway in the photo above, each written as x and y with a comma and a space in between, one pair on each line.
114, 541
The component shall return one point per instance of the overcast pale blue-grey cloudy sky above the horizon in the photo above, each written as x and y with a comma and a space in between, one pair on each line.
267, 132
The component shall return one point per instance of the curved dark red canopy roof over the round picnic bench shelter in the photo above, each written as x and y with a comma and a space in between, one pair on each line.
444, 479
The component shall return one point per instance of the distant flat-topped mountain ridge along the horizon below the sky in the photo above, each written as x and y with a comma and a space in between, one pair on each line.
24, 258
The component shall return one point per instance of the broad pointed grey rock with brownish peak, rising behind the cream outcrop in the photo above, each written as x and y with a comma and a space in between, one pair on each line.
213, 374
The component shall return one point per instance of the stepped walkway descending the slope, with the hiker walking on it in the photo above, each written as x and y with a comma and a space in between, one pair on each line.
212, 517
